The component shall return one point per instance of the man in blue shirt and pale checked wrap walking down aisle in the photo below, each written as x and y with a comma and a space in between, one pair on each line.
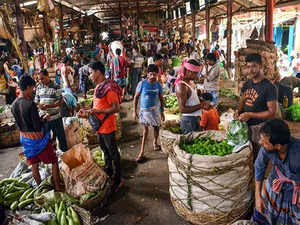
149, 91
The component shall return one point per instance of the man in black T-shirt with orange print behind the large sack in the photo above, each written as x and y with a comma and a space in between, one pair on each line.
258, 102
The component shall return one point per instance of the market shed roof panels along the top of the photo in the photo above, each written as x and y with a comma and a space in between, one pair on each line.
110, 11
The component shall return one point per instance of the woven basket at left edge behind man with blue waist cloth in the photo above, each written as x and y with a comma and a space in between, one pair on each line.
9, 136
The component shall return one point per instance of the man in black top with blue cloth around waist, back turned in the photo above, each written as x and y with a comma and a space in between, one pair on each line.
36, 142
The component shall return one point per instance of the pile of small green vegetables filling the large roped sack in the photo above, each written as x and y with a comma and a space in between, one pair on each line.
204, 146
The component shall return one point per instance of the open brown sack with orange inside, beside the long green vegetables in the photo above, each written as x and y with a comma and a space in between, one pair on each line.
81, 173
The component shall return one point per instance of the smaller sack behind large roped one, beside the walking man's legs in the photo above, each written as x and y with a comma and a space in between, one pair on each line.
168, 135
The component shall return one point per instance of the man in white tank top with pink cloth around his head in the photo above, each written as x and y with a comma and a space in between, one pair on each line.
188, 101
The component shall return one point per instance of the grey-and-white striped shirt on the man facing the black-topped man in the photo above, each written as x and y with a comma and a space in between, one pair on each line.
48, 95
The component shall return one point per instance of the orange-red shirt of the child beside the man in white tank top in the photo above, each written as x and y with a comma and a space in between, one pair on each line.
210, 119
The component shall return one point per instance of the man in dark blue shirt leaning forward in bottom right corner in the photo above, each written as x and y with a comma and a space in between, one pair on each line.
278, 197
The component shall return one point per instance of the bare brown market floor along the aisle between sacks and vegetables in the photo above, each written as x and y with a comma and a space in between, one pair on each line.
144, 198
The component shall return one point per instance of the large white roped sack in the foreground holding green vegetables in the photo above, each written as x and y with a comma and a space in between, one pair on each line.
209, 189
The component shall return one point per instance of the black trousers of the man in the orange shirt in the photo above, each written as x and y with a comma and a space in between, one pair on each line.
109, 147
